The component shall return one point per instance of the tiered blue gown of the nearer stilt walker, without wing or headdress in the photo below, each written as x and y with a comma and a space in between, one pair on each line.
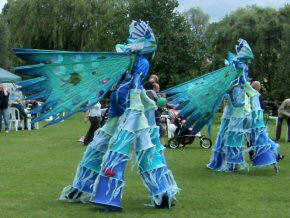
100, 175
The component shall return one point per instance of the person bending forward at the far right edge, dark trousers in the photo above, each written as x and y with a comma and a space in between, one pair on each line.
283, 113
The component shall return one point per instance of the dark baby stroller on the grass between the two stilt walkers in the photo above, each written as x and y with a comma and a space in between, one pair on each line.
182, 138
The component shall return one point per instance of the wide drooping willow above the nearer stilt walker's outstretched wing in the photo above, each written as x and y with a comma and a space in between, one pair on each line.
67, 24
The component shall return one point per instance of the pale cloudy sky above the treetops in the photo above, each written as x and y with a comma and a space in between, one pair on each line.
217, 9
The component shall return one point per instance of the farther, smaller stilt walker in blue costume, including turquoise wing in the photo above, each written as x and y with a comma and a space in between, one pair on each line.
199, 99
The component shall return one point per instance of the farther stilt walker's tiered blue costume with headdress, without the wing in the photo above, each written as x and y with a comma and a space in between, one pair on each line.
242, 118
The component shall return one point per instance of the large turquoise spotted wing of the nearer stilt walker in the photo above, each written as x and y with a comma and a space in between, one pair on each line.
66, 81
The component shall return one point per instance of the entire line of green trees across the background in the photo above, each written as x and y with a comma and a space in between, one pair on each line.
188, 45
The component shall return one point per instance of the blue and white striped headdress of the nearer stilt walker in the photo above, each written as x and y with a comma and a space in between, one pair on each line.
141, 39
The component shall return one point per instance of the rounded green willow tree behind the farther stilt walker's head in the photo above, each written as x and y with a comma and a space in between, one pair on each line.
261, 28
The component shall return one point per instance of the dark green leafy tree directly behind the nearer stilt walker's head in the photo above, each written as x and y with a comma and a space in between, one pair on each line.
177, 59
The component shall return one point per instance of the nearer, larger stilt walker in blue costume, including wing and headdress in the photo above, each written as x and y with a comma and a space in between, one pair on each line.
68, 80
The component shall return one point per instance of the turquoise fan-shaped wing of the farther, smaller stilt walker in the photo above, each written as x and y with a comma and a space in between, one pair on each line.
197, 100
